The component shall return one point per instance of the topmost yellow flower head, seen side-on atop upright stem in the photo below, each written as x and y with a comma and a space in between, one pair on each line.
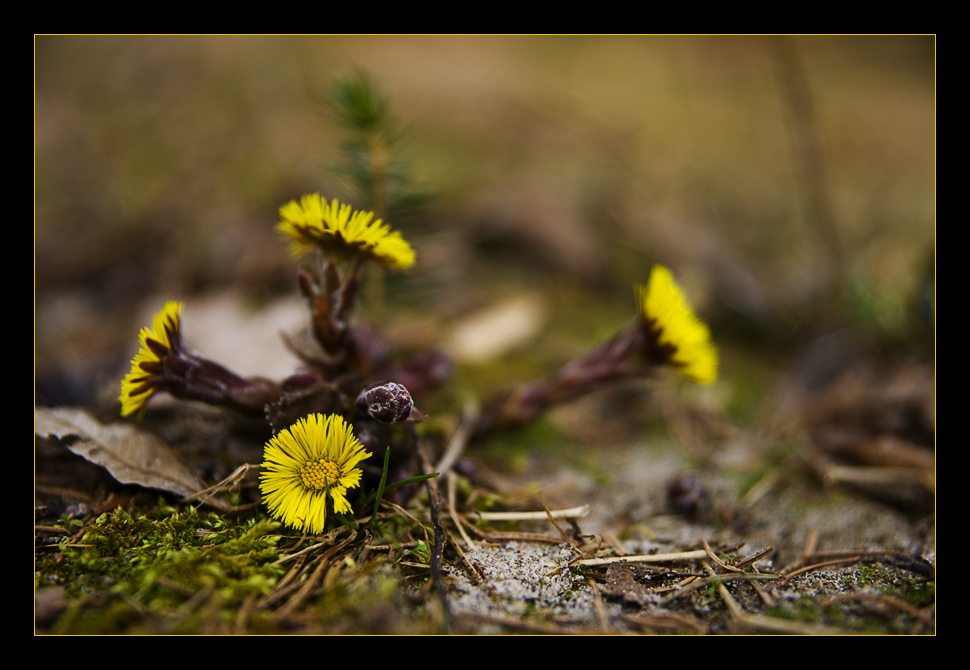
312, 223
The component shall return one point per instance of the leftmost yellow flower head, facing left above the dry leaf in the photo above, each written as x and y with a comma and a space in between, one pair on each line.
162, 338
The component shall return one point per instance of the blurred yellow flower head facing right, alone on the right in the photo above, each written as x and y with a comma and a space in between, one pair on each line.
680, 337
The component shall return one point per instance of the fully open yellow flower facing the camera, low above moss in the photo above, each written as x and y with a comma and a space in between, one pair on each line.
314, 458
